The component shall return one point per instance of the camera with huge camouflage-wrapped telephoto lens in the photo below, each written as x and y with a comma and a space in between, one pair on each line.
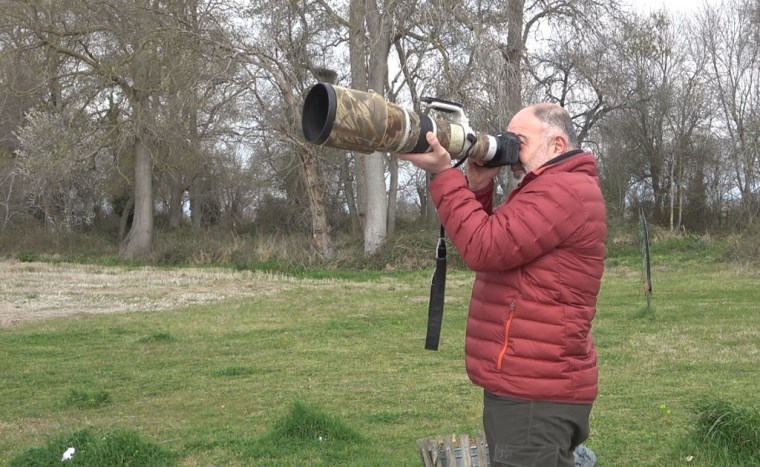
361, 121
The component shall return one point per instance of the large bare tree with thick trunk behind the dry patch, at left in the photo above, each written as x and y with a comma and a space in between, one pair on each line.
116, 46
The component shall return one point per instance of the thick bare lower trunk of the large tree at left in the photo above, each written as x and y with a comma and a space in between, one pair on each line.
139, 240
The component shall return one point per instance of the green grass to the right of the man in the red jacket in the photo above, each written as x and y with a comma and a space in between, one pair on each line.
700, 341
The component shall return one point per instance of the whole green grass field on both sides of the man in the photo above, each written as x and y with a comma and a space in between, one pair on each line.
333, 371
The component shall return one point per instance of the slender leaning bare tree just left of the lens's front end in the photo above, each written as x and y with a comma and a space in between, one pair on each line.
280, 64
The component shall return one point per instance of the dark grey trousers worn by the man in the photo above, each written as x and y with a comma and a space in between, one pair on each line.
524, 433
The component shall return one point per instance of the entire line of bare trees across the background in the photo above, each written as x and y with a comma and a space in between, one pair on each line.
188, 111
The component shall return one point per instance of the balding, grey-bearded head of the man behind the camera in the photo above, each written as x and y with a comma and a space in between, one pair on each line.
545, 131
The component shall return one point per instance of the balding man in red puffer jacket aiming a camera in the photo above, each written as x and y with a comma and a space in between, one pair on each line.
538, 259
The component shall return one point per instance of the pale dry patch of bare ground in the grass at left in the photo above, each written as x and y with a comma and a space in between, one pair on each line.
38, 291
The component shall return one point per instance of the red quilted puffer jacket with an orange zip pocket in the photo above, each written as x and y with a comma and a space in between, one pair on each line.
538, 259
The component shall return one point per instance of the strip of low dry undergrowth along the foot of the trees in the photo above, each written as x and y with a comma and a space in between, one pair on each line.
412, 247
